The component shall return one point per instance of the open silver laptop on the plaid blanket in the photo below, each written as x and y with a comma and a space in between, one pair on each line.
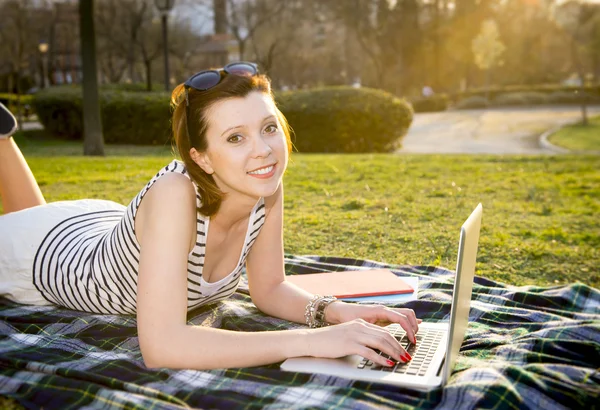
436, 350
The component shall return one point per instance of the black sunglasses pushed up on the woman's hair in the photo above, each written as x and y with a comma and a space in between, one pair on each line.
205, 80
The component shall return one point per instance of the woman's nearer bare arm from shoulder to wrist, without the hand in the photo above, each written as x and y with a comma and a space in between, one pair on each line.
169, 222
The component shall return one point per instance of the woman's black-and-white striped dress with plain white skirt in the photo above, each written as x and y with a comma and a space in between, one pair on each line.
88, 258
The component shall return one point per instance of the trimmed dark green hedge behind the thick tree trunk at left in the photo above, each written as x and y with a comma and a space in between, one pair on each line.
127, 117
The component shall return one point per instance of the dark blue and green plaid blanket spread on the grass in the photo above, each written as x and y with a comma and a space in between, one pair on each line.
526, 347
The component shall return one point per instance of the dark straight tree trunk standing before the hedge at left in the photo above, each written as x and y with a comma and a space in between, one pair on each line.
93, 140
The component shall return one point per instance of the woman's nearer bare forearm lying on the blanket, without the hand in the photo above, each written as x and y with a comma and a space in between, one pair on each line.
202, 348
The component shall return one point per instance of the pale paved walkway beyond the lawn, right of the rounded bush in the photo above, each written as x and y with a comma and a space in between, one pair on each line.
506, 130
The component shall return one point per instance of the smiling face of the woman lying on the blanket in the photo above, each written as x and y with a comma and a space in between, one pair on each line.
247, 150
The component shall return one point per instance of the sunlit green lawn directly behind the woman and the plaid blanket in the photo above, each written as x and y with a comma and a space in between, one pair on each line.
540, 223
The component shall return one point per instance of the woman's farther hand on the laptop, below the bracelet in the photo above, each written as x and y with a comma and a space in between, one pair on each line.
341, 312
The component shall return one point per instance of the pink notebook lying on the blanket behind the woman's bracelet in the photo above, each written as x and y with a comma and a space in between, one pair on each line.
346, 284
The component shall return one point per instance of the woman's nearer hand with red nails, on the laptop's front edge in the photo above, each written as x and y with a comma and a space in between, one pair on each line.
356, 337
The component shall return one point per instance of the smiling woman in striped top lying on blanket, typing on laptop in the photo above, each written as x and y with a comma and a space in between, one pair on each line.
183, 240
